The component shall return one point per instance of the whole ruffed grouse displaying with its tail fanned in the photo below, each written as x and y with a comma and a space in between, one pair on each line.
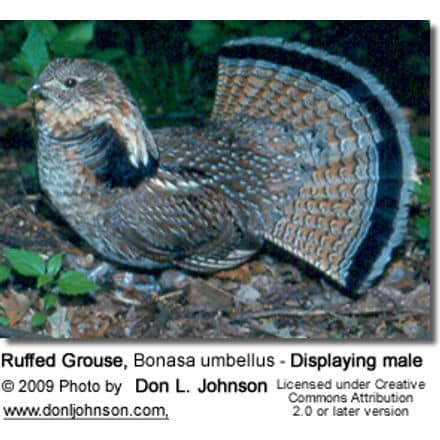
303, 149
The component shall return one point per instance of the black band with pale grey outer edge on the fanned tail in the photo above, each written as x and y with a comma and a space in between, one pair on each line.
388, 219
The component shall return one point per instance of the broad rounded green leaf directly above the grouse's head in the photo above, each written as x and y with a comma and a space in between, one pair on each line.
73, 39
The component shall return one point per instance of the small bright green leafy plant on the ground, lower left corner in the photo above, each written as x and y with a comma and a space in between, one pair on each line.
49, 279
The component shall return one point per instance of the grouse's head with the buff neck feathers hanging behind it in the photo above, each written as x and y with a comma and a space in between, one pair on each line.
73, 96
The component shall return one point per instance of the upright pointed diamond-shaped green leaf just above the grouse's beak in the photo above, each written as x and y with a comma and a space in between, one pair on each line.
34, 56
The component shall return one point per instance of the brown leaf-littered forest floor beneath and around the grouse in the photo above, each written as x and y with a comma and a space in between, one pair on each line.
269, 297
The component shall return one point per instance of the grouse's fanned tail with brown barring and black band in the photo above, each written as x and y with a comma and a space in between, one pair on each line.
352, 211
